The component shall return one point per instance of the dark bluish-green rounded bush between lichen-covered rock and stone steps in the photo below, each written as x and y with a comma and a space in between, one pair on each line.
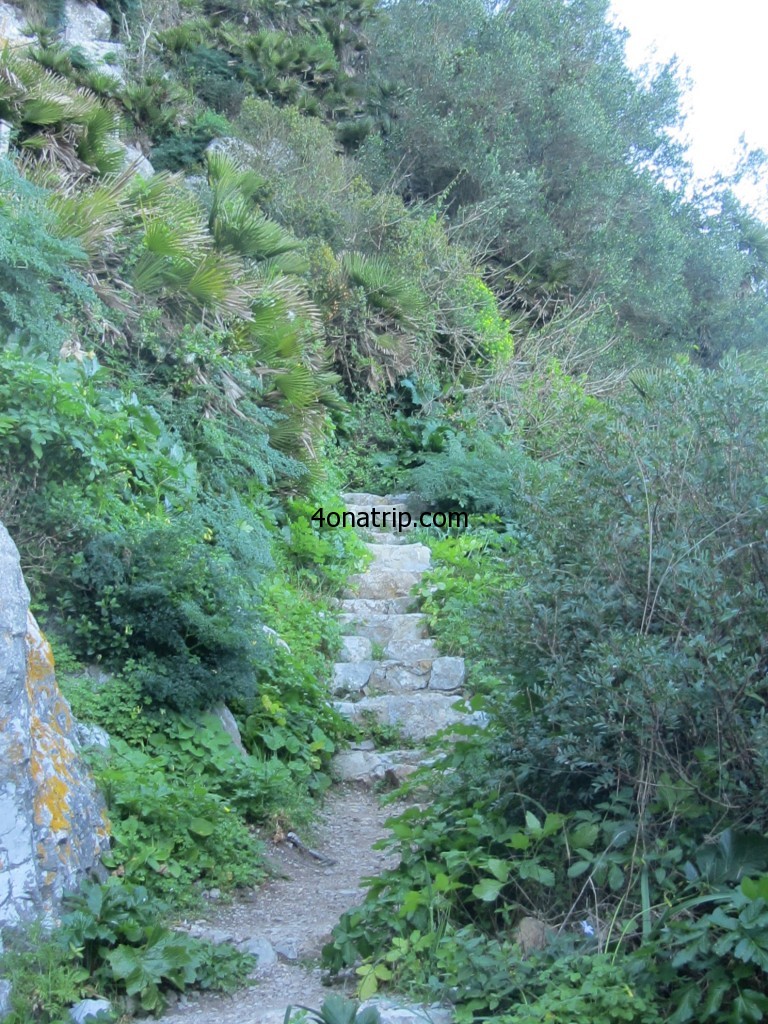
175, 602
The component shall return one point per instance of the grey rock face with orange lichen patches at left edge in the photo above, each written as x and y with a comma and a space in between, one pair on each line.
53, 822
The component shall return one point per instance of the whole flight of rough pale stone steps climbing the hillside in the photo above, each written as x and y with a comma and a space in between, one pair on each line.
391, 669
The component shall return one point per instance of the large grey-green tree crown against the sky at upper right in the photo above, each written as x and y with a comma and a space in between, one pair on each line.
551, 154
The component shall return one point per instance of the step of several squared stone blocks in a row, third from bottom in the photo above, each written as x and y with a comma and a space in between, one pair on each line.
368, 678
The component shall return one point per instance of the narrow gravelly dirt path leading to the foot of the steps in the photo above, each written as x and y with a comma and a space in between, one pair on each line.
296, 914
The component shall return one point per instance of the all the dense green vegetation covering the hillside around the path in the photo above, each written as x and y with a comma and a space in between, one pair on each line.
487, 277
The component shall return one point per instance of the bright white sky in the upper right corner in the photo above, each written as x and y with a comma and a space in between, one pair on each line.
724, 48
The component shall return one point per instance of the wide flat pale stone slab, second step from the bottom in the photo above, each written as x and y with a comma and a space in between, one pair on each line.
418, 716
